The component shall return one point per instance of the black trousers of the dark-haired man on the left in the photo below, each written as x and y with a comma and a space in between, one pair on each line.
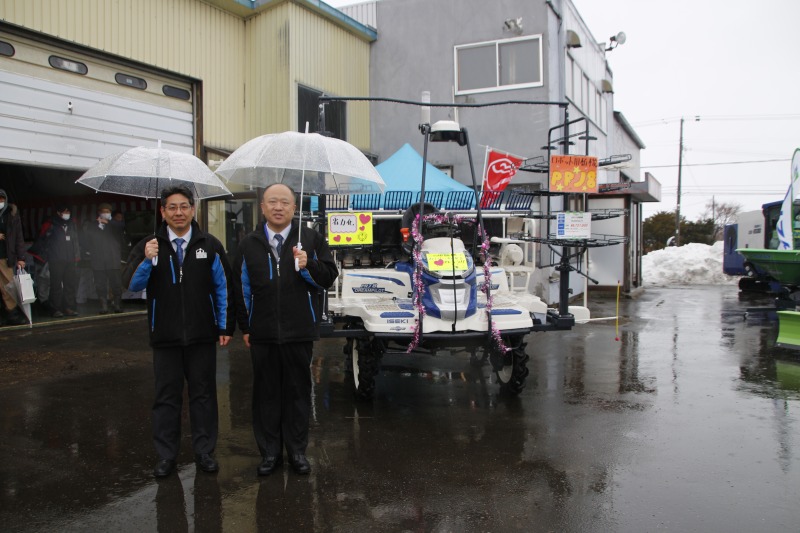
198, 365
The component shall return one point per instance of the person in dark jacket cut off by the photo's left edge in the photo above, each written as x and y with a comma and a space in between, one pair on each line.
12, 257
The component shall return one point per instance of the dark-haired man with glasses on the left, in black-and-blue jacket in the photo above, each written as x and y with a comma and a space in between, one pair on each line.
189, 307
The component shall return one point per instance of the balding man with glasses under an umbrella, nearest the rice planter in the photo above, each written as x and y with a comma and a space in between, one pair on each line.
281, 284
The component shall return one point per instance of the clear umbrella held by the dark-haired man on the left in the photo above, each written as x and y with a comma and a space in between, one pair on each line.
143, 172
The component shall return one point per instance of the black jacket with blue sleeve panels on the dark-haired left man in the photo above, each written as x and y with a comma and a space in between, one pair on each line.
186, 305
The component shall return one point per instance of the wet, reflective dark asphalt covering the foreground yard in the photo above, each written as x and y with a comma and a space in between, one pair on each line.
690, 422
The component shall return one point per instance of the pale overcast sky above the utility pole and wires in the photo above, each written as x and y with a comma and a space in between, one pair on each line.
733, 64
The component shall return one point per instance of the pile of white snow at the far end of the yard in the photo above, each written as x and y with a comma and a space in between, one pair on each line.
691, 264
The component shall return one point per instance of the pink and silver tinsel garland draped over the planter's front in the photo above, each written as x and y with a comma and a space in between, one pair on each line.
441, 218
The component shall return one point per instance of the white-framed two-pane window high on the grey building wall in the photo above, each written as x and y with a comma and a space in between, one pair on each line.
499, 65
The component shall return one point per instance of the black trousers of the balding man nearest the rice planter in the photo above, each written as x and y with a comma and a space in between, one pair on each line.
281, 396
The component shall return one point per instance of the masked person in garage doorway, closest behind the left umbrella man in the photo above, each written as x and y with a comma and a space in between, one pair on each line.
102, 242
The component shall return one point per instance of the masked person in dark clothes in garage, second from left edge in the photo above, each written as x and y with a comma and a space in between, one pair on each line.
63, 254
